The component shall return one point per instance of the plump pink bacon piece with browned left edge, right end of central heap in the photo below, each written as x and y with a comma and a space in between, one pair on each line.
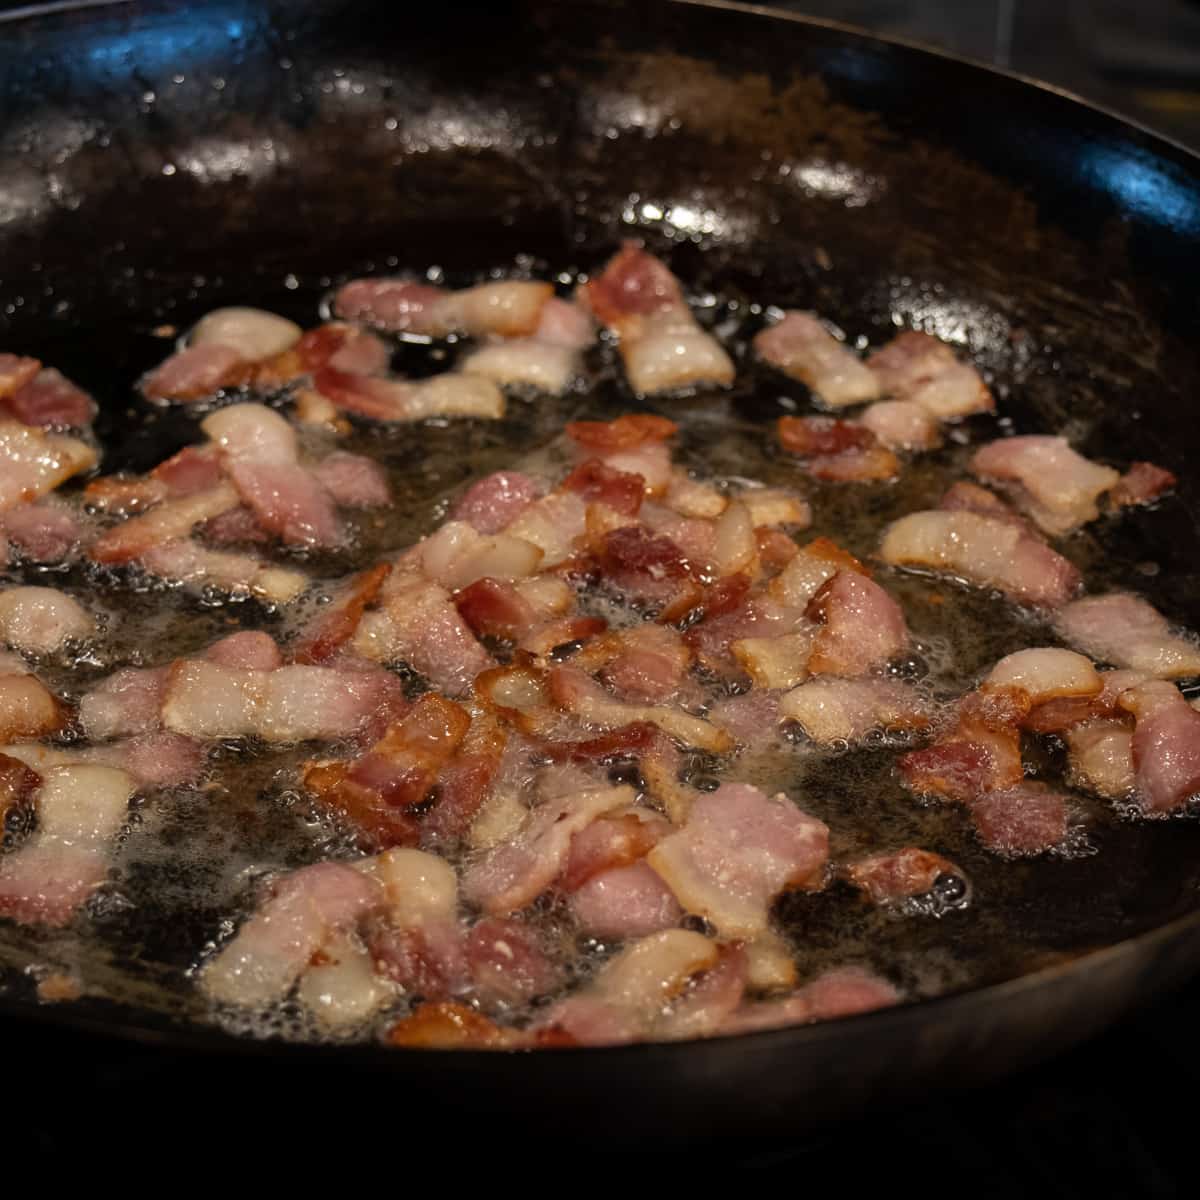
862, 627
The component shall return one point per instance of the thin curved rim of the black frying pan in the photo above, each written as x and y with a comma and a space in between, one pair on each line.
190, 1037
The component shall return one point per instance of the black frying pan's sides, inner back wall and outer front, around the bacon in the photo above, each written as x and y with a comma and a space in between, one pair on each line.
307, 141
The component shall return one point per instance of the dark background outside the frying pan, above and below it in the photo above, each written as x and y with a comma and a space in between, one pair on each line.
1113, 1119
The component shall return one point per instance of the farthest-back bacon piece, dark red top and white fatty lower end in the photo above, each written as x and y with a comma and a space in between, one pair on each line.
662, 345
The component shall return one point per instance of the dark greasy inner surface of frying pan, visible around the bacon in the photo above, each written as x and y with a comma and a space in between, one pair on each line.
164, 161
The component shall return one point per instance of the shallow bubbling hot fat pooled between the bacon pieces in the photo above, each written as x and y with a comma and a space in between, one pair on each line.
191, 860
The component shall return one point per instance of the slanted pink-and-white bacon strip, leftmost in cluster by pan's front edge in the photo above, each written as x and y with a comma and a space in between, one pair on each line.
279, 941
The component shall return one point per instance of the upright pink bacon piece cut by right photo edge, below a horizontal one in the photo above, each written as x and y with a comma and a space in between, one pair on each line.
1166, 746
